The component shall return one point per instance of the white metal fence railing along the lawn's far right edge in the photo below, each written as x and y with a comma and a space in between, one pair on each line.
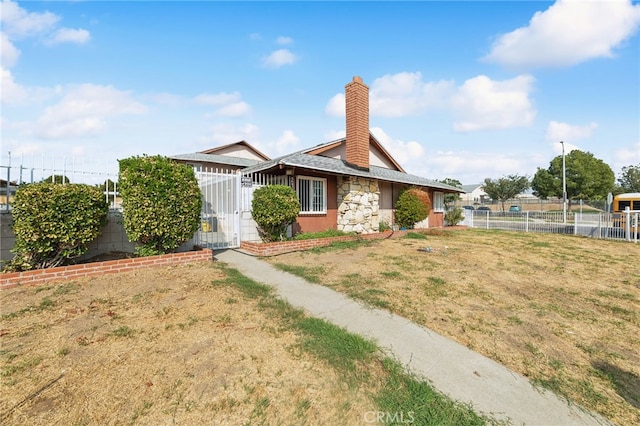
614, 226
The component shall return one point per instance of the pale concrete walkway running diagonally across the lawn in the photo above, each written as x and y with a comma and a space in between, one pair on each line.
453, 369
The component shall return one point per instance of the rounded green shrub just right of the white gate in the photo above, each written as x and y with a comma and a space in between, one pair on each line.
273, 208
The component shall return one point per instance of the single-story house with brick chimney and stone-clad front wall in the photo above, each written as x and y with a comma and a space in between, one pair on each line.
349, 184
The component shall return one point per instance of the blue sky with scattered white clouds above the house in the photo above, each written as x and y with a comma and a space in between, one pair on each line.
463, 90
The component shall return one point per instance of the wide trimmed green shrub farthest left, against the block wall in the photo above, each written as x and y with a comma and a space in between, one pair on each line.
53, 223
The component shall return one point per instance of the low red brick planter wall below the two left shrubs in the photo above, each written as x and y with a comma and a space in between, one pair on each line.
41, 276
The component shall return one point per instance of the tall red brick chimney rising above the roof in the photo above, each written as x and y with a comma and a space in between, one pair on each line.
357, 108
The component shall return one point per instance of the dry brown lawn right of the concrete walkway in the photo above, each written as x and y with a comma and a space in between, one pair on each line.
561, 310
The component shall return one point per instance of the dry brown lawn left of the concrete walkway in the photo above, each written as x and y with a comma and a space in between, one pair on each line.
159, 346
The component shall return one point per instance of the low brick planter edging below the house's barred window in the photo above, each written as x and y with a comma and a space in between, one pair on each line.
272, 249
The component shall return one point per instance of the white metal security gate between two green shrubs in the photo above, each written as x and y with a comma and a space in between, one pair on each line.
220, 216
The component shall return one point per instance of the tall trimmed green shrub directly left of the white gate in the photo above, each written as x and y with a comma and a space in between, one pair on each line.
161, 202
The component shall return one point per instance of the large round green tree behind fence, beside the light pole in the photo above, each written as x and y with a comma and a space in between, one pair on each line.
587, 178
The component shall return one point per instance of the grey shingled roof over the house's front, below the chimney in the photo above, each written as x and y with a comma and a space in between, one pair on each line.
340, 167
